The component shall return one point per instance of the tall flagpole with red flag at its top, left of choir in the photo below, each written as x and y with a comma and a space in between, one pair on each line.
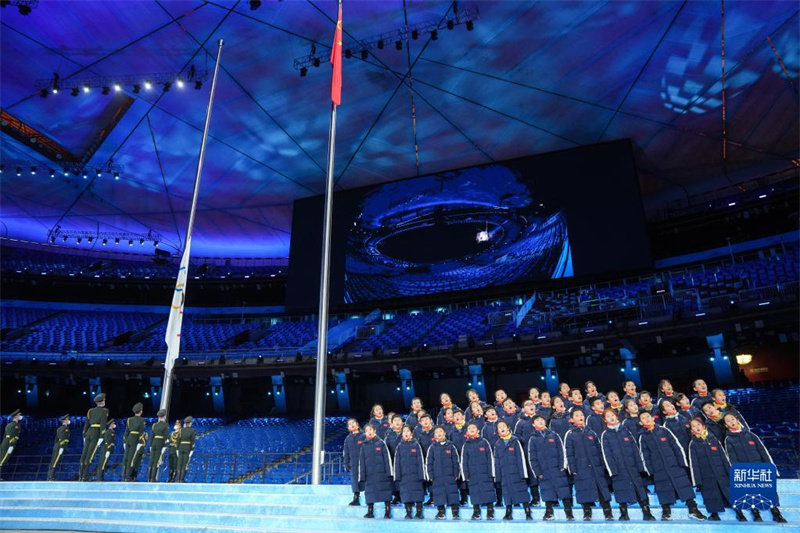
324, 285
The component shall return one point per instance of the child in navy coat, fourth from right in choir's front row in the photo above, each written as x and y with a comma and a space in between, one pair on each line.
624, 466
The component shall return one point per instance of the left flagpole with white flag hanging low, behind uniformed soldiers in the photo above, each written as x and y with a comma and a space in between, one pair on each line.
173, 335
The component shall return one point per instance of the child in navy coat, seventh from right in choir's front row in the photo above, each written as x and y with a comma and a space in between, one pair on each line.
511, 471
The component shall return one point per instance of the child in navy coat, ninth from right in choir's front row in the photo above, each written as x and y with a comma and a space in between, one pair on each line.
444, 471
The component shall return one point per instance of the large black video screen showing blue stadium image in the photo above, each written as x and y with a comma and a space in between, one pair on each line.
575, 212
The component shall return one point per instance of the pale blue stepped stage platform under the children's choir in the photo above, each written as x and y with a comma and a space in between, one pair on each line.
159, 507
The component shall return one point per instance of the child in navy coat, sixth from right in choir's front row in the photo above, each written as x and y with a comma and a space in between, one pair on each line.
548, 464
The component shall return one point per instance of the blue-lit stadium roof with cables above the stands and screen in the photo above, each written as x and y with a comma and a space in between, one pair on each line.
490, 80
